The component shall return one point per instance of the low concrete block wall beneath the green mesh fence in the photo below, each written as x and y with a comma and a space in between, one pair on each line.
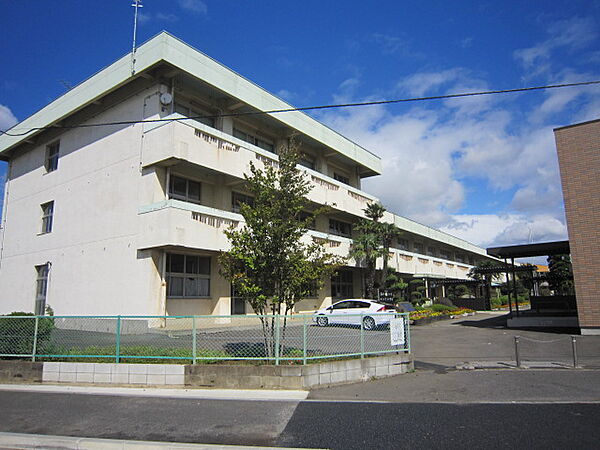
208, 375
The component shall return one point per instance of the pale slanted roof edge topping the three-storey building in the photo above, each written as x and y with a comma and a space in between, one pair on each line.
166, 48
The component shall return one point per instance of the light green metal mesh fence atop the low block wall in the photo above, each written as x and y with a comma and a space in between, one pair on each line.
205, 339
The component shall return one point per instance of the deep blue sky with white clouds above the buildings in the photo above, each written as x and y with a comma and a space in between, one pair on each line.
483, 168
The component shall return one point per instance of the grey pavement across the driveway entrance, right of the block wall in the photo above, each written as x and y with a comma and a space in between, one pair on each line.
438, 384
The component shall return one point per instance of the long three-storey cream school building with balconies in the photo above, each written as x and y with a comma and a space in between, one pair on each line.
124, 213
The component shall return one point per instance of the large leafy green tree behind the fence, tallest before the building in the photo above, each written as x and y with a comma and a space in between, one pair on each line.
268, 263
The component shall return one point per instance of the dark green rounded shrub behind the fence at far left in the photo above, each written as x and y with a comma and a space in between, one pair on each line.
17, 333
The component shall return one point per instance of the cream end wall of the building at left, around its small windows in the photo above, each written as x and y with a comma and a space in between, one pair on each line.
96, 267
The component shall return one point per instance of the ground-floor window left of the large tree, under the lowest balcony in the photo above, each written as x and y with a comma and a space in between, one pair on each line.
188, 276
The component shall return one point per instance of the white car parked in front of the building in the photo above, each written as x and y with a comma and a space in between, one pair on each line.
351, 311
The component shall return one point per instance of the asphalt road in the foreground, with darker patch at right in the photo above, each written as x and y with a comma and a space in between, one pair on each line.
314, 424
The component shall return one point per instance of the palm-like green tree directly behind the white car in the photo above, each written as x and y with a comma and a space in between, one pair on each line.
373, 240
